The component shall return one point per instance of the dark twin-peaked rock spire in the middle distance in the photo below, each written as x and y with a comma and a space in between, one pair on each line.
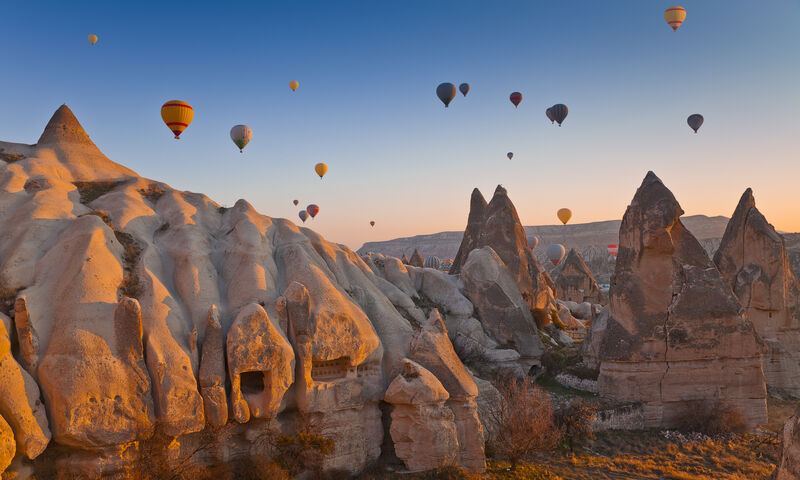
497, 225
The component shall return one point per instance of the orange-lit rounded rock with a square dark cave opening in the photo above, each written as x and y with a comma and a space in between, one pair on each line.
260, 365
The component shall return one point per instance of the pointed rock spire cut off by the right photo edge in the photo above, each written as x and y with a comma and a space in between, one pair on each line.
753, 261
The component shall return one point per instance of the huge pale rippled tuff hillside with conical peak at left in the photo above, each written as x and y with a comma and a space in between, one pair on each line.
306, 326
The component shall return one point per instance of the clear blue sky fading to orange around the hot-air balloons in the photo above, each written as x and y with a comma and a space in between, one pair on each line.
367, 107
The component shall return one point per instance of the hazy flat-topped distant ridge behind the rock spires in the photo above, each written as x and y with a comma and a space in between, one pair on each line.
589, 239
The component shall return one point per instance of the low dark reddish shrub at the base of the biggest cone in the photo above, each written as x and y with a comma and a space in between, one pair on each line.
711, 418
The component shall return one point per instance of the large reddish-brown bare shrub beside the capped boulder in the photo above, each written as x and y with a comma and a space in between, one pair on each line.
522, 421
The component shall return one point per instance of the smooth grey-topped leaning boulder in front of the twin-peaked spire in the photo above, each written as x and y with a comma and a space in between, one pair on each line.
503, 312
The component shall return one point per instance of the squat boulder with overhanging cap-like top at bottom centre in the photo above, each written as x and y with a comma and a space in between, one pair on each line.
423, 428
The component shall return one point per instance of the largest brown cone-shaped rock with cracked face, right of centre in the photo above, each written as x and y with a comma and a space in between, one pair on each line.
675, 332
